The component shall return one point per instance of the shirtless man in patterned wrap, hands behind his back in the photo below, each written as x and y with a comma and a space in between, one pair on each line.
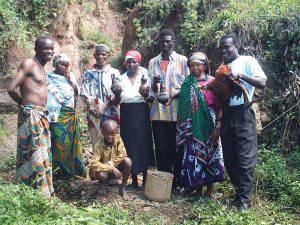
29, 90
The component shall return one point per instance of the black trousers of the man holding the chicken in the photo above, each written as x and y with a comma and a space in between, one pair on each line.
239, 142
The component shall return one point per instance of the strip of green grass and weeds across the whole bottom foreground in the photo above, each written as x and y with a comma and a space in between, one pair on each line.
20, 204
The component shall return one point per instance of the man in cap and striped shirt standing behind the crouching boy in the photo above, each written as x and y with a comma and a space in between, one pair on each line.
96, 89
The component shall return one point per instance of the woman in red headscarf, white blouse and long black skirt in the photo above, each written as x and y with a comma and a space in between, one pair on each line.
135, 116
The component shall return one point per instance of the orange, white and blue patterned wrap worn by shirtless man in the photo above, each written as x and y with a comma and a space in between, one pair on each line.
34, 159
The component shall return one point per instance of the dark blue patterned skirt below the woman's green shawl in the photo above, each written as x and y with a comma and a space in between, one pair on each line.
202, 163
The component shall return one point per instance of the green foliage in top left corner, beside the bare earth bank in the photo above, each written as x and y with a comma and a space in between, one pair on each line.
20, 21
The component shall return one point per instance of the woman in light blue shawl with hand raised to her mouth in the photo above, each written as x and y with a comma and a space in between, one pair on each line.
61, 104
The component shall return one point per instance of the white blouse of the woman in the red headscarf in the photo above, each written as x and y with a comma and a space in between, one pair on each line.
130, 93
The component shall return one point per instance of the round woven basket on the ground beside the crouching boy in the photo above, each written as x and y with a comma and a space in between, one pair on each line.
158, 185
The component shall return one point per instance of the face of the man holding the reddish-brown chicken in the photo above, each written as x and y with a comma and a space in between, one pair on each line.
229, 50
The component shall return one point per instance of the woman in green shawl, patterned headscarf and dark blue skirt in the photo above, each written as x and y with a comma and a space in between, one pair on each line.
199, 122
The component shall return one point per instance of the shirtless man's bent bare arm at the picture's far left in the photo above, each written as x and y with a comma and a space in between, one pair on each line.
13, 88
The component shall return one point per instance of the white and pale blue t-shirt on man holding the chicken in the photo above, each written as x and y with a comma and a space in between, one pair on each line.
249, 66
